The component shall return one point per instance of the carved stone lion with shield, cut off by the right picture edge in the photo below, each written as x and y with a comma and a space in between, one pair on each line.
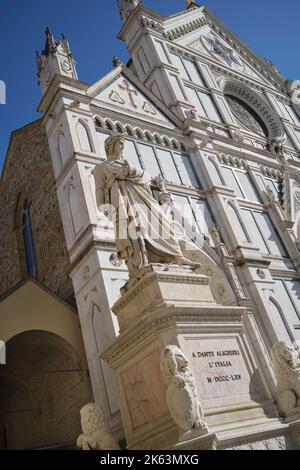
287, 369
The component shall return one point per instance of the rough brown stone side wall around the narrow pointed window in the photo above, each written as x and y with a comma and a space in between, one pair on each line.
28, 174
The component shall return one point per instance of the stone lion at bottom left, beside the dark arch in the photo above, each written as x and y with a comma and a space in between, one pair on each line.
96, 434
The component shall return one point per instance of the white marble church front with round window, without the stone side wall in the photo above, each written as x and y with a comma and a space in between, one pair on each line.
201, 110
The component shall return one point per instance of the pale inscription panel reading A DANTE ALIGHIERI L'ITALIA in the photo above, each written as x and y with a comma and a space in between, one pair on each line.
219, 367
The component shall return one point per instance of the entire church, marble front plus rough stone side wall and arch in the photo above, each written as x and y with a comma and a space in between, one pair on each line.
216, 128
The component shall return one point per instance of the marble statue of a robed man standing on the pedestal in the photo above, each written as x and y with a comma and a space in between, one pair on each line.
142, 232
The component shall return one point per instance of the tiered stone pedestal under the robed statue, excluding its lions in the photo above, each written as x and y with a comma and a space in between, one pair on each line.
172, 305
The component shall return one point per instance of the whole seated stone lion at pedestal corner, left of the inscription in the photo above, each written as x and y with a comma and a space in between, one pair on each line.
182, 398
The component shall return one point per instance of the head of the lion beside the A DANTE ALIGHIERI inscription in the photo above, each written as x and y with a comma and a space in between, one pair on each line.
173, 362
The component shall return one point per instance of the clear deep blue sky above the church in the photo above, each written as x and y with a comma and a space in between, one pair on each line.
269, 27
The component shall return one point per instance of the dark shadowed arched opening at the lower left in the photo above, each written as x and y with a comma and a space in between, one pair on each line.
42, 388
